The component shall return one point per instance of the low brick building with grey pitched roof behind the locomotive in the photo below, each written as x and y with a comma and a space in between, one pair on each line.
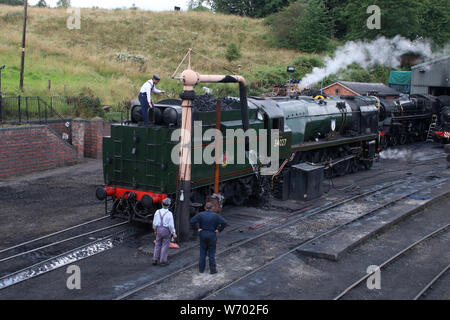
348, 88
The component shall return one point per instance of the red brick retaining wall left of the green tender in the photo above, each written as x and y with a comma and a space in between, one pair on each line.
41, 147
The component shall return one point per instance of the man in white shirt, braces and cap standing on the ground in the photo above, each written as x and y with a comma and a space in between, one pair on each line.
164, 228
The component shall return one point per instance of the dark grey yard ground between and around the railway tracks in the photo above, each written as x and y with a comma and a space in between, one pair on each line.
45, 202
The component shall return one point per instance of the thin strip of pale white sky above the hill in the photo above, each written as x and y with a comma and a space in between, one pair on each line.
154, 5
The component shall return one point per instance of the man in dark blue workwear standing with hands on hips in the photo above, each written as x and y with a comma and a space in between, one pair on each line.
209, 225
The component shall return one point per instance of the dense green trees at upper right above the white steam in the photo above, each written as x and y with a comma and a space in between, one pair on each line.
308, 25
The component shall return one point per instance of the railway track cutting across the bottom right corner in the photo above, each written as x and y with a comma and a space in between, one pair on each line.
395, 258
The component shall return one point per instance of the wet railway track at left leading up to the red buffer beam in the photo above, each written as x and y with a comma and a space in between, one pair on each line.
31, 258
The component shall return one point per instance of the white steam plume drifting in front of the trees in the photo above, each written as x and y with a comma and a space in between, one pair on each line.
382, 51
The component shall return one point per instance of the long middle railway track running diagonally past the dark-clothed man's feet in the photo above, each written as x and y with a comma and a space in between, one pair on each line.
272, 254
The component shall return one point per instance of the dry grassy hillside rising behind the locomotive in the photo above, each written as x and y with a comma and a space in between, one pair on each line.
88, 61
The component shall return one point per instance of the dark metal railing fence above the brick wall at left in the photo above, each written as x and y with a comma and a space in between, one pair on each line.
18, 110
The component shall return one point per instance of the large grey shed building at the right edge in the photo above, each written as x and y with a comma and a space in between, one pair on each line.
431, 77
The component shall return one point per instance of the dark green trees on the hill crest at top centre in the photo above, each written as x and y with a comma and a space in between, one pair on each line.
250, 8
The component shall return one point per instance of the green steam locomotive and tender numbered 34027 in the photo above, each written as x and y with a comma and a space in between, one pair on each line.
316, 138
